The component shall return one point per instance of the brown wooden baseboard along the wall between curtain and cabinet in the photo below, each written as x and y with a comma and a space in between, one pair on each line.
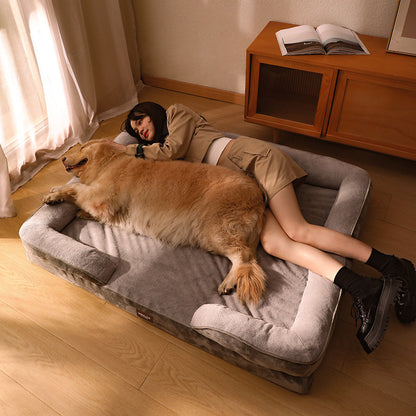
194, 89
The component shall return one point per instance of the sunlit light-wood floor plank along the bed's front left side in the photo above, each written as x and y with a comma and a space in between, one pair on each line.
80, 319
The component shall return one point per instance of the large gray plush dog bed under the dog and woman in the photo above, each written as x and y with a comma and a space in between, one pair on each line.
282, 339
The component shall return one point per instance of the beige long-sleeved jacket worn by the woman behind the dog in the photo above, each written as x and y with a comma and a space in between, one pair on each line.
189, 137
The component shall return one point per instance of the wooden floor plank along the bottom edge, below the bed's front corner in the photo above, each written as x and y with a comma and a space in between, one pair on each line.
189, 386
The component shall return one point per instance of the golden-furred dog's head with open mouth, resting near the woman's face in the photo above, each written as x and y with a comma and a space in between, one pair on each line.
92, 156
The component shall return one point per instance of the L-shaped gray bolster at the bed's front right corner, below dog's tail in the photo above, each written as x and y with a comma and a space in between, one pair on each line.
263, 342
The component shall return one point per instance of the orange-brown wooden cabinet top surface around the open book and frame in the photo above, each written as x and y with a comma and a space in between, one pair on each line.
379, 62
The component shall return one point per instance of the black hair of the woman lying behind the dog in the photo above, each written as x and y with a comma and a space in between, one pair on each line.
156, 113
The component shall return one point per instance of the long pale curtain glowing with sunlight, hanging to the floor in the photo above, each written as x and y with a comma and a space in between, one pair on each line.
65, 65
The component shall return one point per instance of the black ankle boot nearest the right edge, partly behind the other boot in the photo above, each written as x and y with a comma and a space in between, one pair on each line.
405, 305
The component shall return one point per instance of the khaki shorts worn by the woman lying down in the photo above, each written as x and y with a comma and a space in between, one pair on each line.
272, 168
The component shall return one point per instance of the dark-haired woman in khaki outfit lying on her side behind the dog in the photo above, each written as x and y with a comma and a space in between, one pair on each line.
180, 133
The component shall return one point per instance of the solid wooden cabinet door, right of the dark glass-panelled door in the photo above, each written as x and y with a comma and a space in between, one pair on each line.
375, 113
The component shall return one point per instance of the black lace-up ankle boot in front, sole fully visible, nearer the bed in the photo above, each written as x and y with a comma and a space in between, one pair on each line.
373, 311
